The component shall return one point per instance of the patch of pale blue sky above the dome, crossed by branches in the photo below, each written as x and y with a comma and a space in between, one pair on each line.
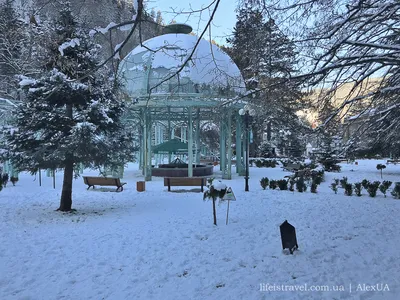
223, 23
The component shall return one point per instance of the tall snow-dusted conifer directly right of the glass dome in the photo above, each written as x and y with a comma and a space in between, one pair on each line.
266, 58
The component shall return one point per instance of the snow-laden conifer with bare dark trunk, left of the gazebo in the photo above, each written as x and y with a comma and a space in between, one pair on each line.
72, 114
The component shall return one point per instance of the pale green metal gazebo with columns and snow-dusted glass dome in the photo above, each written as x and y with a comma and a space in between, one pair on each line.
177, 81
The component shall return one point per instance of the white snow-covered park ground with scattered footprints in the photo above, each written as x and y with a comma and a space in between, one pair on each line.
163, 245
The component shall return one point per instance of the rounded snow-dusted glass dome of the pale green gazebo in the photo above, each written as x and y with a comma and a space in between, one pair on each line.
209, 72
